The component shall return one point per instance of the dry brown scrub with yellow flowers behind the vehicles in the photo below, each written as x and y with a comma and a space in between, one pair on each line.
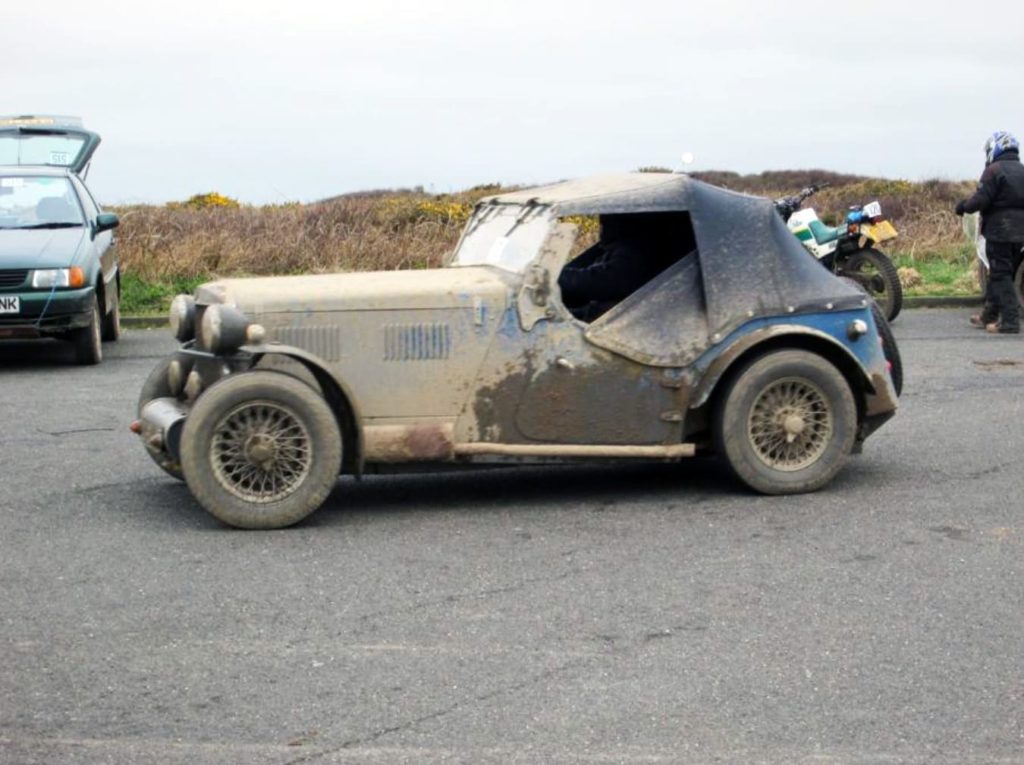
413, 230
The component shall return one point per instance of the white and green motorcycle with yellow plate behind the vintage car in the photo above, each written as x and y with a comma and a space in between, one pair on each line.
849, 250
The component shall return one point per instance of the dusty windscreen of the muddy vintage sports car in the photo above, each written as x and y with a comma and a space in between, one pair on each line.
505, 236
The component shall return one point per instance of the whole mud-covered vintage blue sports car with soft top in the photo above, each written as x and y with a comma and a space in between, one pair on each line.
741, 345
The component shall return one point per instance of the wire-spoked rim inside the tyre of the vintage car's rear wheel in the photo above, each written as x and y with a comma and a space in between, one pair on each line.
791, 424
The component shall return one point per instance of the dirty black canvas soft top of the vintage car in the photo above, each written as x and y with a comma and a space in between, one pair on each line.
748, 266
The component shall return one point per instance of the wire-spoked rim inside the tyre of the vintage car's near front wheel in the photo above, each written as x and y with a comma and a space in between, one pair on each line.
261, 452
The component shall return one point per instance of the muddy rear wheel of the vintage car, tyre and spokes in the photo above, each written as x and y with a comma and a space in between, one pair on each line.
787, 422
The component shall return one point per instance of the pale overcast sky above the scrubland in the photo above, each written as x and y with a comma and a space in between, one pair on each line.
297, 101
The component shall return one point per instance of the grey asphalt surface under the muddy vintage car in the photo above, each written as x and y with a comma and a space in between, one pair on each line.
636, 614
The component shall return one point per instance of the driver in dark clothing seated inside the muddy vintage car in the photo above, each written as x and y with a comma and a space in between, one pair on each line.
632, 250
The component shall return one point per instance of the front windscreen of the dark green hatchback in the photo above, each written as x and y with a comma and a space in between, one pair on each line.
38, 202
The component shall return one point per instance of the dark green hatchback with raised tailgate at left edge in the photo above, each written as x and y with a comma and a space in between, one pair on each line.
59, 272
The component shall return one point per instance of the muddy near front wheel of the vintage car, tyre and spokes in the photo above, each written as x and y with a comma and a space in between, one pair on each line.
261, 450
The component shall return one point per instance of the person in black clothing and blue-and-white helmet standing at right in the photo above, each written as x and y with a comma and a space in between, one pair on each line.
1000, 199
